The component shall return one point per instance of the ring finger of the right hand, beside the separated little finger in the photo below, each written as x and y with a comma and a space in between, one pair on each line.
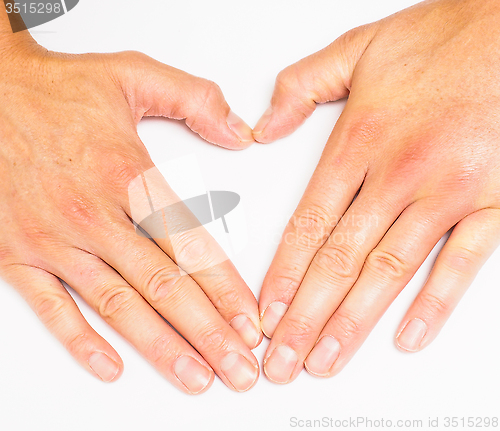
387, 270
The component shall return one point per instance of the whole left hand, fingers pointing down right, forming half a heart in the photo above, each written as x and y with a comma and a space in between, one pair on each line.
70, 160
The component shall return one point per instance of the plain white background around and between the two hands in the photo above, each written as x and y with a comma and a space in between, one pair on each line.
242, 46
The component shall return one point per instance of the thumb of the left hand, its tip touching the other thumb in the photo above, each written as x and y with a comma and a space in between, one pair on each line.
155, 89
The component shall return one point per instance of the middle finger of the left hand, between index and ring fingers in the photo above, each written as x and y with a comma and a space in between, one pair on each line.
181, 302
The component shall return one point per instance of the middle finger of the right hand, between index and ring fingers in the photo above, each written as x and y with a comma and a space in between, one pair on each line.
329, 278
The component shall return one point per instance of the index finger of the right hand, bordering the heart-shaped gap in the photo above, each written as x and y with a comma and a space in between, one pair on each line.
329, 193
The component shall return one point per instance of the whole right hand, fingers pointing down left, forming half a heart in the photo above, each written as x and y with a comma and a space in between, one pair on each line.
419, 140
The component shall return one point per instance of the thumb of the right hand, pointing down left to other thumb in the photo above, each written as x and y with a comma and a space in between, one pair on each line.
322, 77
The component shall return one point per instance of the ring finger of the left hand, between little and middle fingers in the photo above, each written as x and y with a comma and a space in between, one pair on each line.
126, 311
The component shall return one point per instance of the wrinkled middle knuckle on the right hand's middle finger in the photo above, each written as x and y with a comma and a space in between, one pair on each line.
337, 262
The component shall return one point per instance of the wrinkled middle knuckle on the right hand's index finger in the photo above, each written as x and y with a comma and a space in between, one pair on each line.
310, 228
